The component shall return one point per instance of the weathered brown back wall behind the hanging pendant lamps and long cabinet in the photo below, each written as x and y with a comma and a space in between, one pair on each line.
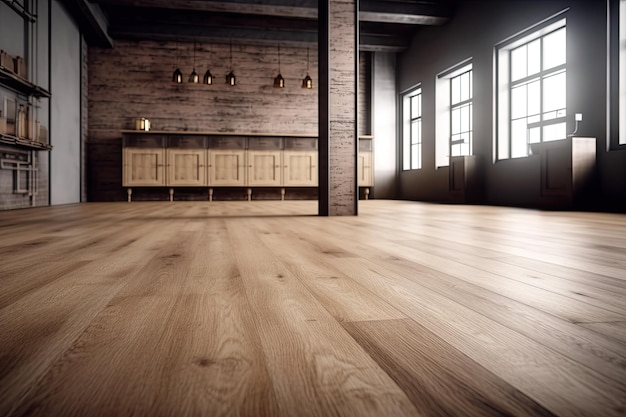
134, 80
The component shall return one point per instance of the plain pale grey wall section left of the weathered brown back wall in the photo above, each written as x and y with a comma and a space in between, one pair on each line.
65, 63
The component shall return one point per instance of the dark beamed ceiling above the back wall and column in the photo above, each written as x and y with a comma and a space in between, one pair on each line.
384, 25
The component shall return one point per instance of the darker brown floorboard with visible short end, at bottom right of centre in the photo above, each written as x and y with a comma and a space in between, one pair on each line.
439, 380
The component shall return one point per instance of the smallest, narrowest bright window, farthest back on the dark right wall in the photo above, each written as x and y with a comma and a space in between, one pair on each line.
412, 129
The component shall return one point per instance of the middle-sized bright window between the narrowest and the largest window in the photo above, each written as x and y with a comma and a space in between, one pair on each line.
454, 94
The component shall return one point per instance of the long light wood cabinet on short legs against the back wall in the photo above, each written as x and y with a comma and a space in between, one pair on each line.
204, 159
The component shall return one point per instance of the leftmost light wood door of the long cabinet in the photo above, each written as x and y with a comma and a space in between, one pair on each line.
143, 167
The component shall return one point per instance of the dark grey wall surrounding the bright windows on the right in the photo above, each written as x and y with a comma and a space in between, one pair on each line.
476, 27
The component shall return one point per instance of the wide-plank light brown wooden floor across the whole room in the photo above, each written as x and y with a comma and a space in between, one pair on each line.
264, 309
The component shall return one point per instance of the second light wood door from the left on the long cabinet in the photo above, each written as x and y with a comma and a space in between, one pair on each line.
186, 167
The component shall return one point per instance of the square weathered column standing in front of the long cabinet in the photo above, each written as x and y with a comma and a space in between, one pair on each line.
338, 64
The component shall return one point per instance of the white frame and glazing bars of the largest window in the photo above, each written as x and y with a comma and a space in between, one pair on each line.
503, 145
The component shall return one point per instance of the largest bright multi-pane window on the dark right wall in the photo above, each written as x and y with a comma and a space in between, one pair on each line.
531, 94
